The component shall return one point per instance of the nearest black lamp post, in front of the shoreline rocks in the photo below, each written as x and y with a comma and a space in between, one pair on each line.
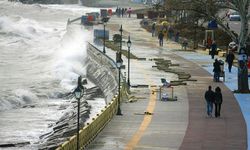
78, 93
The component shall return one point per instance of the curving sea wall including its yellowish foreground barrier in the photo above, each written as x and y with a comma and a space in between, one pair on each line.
102, 70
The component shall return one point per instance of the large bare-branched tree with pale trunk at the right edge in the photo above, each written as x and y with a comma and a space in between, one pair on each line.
216, 10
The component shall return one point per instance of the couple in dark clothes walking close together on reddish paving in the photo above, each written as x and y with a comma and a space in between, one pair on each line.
213, 98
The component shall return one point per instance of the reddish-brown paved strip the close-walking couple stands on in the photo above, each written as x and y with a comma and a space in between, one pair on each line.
203, 133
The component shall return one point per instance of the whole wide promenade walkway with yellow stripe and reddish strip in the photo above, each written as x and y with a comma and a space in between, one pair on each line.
181, 124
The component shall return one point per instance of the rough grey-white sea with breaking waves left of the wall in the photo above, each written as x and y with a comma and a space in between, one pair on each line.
40, 60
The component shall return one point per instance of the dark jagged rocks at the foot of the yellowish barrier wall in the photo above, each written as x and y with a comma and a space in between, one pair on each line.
66, 126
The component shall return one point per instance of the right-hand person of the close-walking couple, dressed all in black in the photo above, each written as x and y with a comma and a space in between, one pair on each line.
217, 101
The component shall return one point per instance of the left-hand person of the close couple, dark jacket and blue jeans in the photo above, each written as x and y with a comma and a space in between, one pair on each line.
209, 96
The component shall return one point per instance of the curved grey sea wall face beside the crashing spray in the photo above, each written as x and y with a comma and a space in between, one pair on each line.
102, 71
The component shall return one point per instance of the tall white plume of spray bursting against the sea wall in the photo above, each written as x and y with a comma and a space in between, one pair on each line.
71, 56
